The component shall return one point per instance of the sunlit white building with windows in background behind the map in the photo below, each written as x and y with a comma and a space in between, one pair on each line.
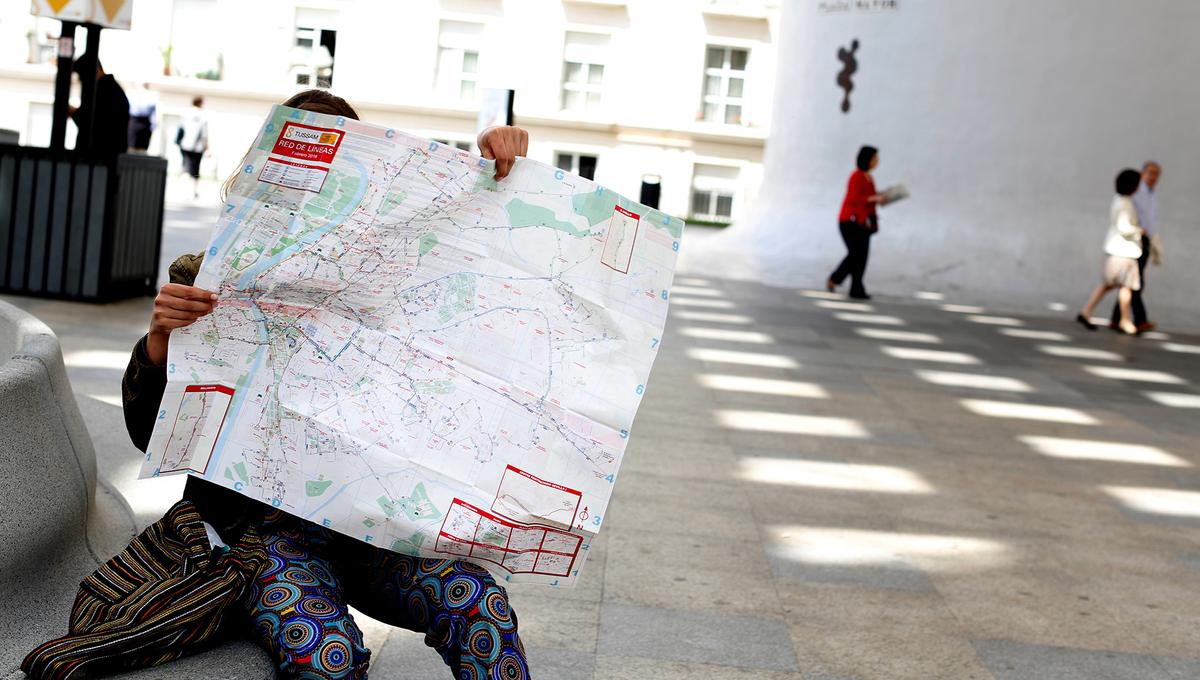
626, 91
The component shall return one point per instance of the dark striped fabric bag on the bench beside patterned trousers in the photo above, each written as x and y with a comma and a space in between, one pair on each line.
165, 597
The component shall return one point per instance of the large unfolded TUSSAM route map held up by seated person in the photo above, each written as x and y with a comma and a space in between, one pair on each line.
413, 354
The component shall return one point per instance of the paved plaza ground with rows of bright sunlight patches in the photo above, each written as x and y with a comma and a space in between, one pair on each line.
819, 490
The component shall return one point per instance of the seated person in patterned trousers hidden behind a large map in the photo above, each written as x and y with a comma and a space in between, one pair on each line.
299, 603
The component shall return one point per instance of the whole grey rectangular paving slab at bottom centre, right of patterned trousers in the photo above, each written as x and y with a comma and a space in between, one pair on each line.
699, 637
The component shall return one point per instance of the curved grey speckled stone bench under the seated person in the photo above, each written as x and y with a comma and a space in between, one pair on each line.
47, 500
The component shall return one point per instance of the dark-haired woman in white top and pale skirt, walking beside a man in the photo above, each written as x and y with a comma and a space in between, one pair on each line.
1124, 246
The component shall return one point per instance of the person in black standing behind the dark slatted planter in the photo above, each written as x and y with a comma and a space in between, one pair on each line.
109, 115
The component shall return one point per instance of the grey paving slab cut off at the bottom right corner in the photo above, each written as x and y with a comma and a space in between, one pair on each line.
1017, 661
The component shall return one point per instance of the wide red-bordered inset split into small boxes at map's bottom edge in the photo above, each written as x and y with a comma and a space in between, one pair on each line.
518, 549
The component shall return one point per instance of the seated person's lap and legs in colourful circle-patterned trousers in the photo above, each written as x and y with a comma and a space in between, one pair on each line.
299, 606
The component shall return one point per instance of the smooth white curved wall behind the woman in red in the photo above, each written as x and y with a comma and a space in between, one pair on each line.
1007, 121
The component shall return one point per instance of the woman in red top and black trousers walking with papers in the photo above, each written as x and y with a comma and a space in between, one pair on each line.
859, 222
